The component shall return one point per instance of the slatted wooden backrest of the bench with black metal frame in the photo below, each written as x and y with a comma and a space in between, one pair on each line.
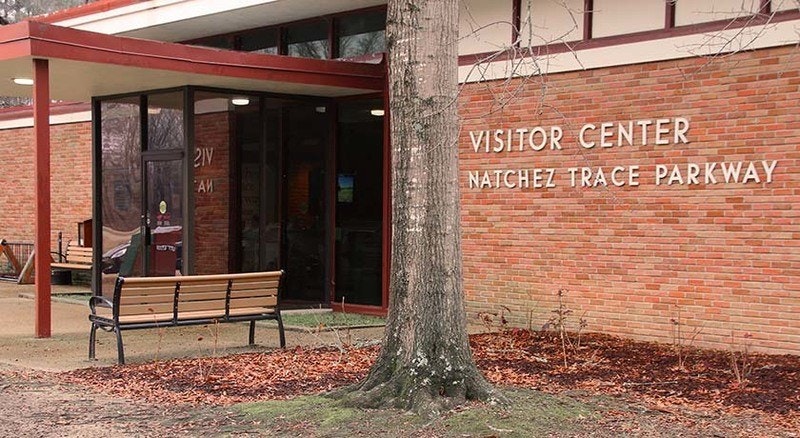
195, 293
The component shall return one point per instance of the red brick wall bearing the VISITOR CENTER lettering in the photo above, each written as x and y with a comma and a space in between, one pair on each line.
726, 255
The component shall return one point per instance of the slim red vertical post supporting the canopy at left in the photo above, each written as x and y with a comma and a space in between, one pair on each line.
41, 138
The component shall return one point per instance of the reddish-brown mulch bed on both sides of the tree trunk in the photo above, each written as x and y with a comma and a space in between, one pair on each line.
601, 365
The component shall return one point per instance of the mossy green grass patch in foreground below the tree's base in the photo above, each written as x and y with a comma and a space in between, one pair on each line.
530, 413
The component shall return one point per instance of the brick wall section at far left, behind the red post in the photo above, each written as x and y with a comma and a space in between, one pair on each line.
71, 181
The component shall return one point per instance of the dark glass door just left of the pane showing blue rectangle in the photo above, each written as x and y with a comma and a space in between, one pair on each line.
306, 140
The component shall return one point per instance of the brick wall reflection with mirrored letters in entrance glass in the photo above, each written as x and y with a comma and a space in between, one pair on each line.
212, 207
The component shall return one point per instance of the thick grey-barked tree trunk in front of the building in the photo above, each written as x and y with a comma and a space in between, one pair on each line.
426, 363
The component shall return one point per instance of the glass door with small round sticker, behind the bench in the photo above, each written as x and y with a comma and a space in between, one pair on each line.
163, 219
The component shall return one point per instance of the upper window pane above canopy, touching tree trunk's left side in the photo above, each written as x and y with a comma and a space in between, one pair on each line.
361, 34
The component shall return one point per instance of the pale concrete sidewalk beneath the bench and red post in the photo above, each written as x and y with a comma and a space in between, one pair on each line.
67, 349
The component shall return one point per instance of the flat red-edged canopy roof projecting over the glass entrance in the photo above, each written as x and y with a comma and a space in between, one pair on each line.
86, 64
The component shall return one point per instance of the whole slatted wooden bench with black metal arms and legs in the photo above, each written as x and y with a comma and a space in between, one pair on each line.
153, 302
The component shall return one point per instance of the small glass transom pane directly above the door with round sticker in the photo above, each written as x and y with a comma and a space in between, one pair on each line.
165, 121
